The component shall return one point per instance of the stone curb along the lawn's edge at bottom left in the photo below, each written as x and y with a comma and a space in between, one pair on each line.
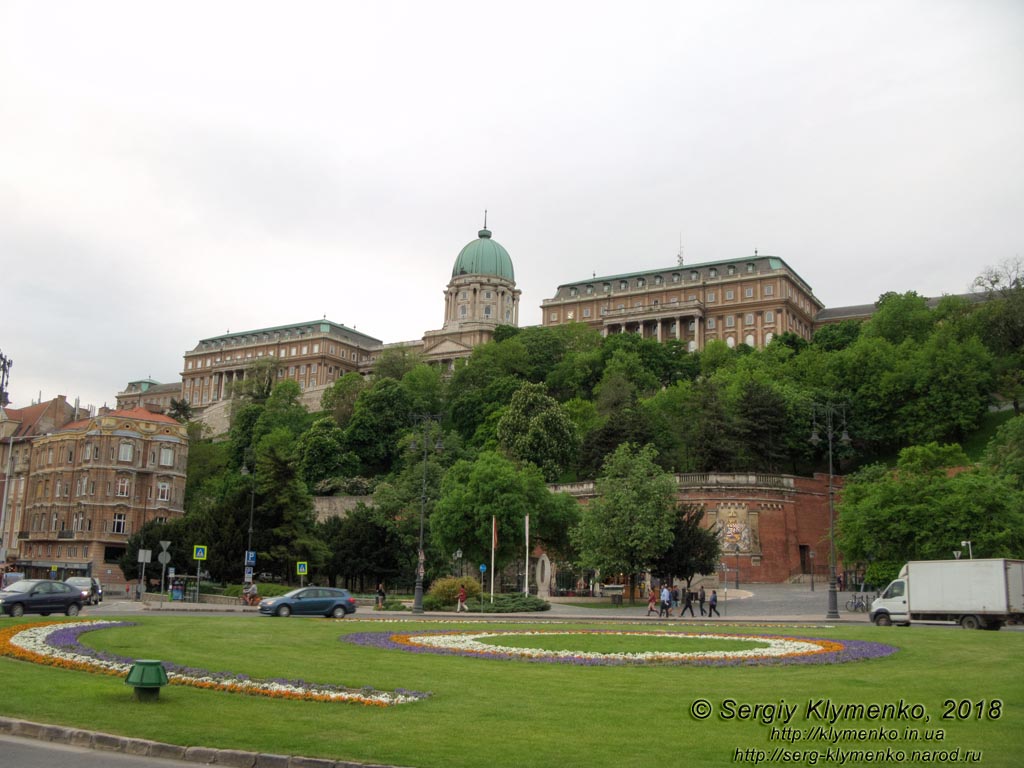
145, 748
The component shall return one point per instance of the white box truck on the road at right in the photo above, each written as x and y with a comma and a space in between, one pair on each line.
980, 594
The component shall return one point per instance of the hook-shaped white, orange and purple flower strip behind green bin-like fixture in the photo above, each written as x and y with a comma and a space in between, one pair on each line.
57, 645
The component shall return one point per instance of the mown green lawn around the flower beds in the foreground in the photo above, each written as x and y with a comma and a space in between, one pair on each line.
514, 714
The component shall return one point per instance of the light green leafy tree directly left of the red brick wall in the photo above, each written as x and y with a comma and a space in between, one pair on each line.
629, 526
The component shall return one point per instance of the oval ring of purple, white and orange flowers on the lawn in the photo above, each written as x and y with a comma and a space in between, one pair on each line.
778, 651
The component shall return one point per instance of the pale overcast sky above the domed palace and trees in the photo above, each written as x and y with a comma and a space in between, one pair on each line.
174, 172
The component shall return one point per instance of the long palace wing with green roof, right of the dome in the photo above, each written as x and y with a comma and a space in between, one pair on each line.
740, 302
